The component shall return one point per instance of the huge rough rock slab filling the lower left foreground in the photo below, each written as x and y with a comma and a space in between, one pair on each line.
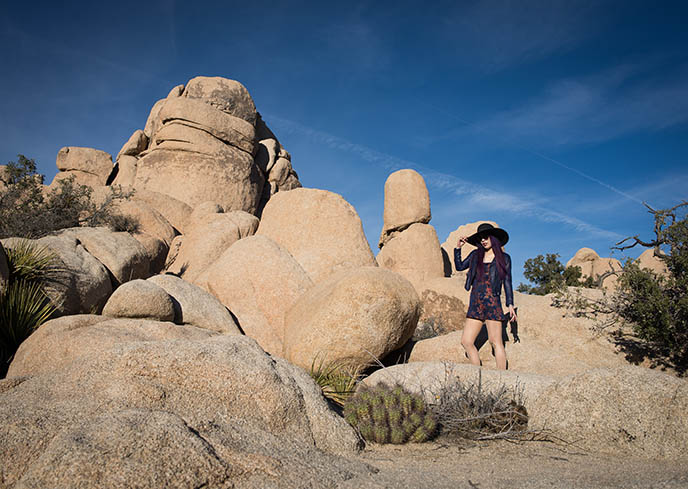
220, 411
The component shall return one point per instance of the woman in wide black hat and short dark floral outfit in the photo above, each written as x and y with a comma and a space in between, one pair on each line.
489, 268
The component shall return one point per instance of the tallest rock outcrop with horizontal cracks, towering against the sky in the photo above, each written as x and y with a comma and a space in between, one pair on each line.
205, 141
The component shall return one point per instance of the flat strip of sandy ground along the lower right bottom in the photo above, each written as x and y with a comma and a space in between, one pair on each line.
500, 464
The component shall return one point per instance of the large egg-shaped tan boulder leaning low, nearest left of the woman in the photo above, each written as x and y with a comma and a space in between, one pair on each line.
353, 317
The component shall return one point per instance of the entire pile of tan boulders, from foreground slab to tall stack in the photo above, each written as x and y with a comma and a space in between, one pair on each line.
178, 354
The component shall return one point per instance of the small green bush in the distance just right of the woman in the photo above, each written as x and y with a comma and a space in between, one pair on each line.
549, 275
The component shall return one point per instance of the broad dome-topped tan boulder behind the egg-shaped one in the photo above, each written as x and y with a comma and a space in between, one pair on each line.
319, 229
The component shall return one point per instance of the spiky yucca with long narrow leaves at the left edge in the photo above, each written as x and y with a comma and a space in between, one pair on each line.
24, 306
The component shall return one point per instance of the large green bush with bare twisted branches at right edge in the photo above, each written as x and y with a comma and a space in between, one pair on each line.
653, 306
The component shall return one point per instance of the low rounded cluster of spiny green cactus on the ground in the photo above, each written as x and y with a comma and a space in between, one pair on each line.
384, 414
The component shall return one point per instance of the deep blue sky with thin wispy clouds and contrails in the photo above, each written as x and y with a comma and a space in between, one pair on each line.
556, 119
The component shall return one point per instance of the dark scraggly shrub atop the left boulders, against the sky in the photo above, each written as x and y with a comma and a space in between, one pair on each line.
27, 211
